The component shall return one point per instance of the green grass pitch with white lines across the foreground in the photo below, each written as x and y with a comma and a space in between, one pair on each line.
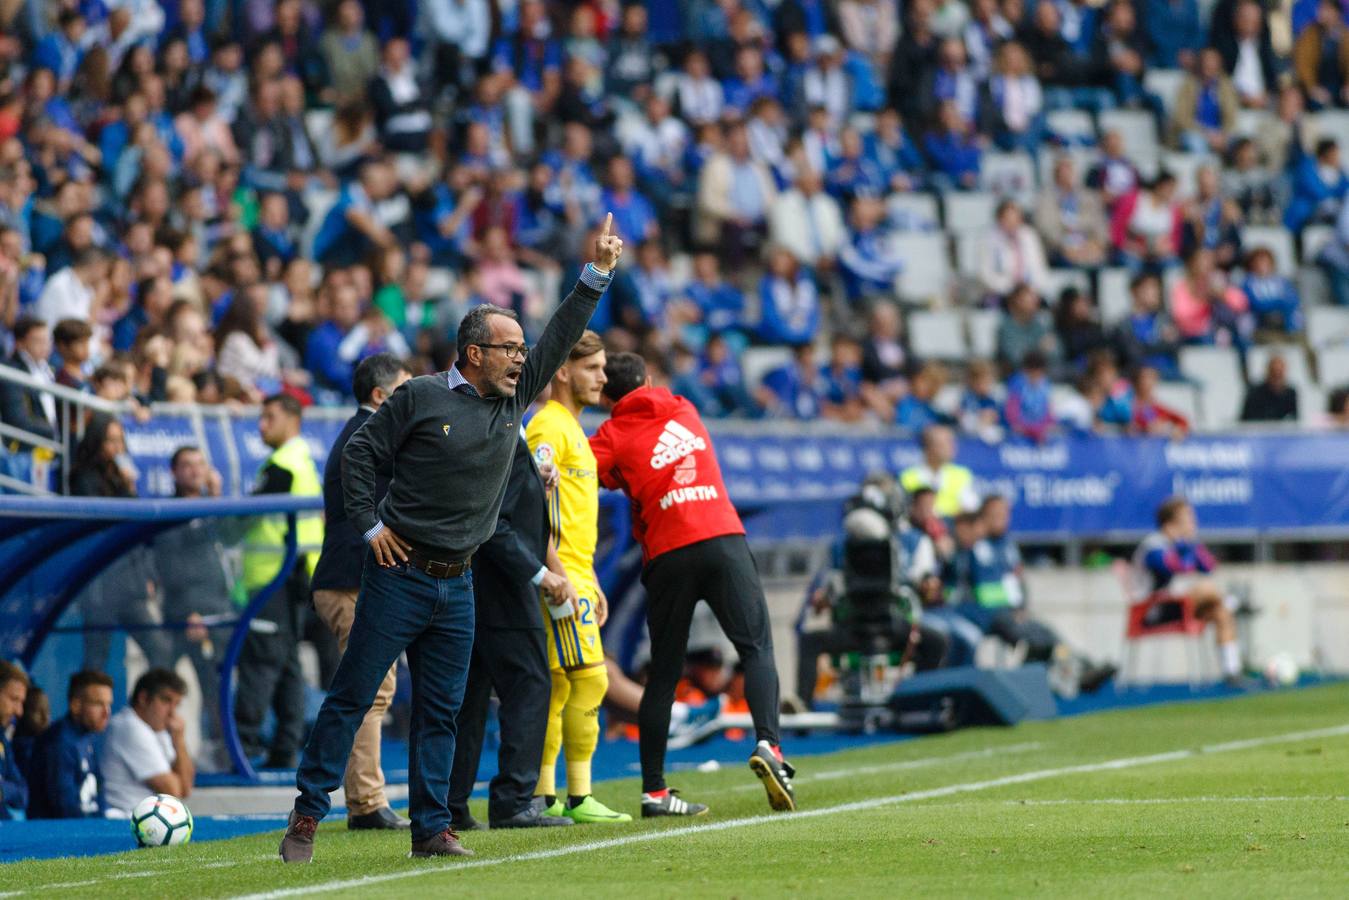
1243, 798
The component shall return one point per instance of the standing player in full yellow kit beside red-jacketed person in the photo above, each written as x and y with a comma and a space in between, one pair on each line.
575, 654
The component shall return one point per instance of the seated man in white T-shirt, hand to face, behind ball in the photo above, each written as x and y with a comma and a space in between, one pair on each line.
144, 751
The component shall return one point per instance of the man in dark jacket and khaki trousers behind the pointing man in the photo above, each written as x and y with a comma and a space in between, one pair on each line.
337, 584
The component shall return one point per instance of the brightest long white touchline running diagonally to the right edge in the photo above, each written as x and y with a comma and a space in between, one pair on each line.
969, 787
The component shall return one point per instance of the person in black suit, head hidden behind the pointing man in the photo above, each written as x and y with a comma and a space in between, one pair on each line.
509, 655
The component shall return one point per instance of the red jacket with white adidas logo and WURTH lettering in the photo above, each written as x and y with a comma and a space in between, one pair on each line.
656, 450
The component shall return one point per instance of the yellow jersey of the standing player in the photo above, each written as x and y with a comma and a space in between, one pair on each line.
555, 437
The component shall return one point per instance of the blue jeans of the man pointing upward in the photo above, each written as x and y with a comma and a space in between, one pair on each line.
399, 609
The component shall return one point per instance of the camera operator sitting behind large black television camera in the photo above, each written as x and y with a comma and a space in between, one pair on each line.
873, 590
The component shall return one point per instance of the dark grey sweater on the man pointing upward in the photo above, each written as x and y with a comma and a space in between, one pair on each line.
453, 453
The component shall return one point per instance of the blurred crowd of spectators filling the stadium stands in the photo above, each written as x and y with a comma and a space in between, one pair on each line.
214, 202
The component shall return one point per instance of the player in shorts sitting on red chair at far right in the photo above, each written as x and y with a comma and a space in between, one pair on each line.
1172, 569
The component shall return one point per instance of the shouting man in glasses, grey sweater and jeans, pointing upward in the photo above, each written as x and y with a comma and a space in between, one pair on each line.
451, 438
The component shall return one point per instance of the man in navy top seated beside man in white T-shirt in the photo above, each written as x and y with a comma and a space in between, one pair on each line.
64, 778
